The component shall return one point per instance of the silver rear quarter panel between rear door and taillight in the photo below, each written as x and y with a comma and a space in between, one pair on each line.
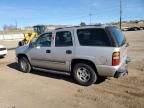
98, 55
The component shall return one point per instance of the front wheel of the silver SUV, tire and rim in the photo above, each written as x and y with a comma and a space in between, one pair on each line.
24, 65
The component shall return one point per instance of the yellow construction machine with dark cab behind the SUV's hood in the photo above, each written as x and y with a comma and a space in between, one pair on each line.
38, 29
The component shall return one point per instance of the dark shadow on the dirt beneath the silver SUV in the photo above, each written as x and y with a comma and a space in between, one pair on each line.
67, 78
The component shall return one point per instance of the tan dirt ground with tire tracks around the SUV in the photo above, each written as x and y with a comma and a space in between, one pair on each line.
44, 90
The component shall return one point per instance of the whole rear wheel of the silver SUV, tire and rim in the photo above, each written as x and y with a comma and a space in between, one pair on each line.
84, 74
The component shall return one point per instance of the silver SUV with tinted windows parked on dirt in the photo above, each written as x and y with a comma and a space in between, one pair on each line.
85, 52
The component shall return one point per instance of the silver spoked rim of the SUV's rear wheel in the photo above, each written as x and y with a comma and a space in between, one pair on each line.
83, 74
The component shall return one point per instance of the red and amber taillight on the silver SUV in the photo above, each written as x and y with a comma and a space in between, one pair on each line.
115, 58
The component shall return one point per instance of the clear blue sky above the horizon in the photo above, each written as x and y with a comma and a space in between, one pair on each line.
68, 12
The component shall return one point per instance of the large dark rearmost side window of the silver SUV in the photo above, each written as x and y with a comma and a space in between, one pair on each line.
93, 37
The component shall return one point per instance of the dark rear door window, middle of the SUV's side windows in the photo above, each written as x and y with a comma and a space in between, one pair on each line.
63, 38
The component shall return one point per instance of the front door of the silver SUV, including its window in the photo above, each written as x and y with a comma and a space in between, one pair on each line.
41, 52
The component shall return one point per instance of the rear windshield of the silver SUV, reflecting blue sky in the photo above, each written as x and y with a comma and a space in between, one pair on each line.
117, 35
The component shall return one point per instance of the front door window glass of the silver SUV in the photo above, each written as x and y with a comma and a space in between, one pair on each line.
44, 40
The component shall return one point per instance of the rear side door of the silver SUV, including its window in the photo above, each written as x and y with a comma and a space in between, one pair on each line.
63, 50
